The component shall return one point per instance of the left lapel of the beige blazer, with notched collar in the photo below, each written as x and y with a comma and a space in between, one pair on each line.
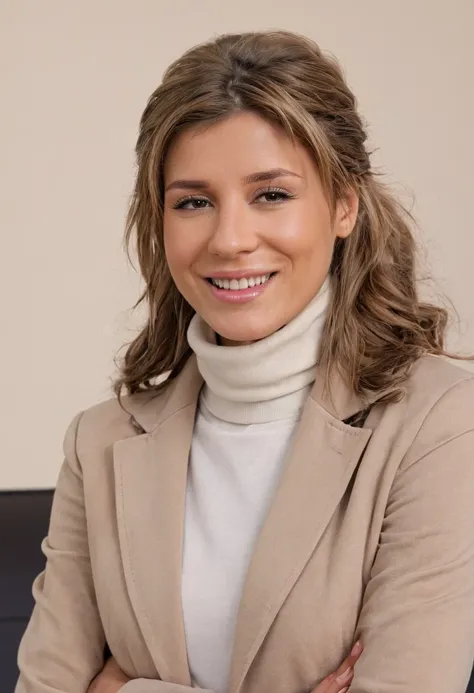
150, 476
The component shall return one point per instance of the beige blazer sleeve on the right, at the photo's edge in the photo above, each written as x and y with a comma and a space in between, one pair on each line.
417, 617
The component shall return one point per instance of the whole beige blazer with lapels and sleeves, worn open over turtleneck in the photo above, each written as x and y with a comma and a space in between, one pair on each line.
370, 534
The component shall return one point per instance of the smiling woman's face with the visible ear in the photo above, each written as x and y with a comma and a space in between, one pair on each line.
247, 229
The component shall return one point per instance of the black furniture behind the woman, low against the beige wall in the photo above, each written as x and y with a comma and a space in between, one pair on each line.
24, 519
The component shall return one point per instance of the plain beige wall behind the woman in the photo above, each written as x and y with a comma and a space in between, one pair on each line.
75, 77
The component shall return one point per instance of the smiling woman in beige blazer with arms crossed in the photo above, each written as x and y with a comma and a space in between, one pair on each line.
303, 479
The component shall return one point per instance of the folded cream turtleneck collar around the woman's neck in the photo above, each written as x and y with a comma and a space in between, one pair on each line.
267, 380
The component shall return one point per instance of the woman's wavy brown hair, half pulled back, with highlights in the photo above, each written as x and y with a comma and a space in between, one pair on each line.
377, 326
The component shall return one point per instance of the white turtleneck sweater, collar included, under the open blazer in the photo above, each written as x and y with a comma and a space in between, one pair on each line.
248, 411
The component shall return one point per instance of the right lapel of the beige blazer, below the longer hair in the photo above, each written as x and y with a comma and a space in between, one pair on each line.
323, 458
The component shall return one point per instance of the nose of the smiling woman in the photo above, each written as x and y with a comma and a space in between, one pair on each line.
233, 232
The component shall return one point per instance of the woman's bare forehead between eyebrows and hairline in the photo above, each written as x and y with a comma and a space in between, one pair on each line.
240, 144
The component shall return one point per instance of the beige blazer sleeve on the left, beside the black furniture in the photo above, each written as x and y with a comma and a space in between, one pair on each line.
62, 649
